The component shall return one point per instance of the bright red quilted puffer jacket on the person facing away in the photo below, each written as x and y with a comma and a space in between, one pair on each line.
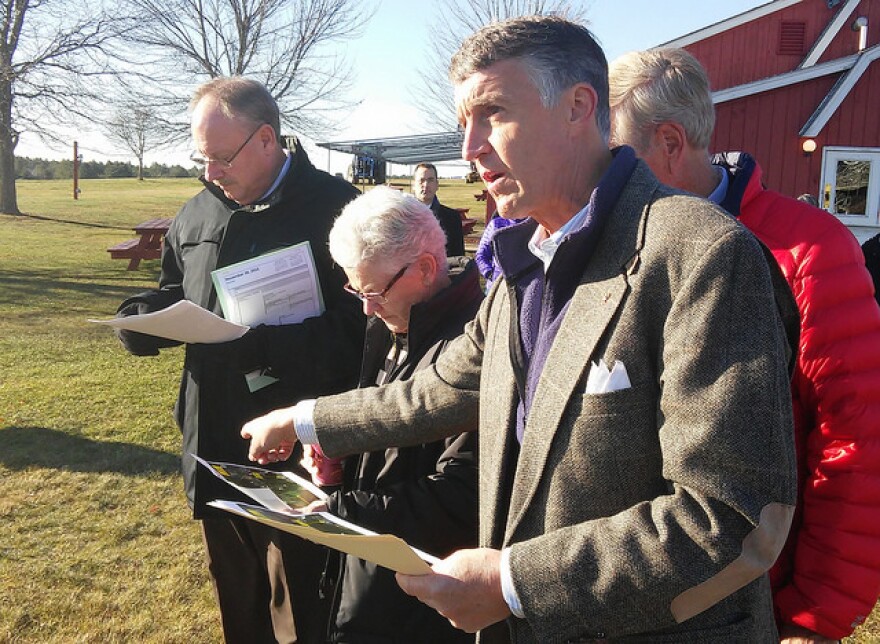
827, 578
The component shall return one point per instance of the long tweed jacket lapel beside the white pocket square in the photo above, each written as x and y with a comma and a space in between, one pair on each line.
599, 295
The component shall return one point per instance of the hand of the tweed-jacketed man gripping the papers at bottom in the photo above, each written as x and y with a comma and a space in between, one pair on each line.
465, 588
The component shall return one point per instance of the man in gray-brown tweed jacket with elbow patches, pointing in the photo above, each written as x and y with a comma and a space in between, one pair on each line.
641, 505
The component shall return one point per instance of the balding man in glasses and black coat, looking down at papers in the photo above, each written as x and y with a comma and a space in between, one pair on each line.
258, 197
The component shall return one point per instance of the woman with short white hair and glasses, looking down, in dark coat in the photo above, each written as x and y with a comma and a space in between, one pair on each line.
393, 251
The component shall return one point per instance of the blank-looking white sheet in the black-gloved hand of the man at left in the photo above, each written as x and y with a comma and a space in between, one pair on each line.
182, 321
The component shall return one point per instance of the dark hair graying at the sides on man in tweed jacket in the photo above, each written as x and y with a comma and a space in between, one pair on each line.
557, 53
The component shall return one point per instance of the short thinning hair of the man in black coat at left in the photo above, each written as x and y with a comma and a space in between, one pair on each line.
241, 98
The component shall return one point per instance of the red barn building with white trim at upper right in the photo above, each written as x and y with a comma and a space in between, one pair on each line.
797, 84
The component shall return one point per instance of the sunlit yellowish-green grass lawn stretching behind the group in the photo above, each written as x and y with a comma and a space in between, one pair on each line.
97, 541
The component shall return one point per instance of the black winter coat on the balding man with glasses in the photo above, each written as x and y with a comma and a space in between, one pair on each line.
318, 356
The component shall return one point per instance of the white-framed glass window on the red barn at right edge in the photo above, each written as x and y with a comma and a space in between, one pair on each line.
851, 185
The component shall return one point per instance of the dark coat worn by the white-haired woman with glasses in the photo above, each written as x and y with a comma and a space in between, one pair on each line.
426, 494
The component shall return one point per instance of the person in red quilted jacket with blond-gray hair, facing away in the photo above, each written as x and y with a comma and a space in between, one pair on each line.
828, 577
